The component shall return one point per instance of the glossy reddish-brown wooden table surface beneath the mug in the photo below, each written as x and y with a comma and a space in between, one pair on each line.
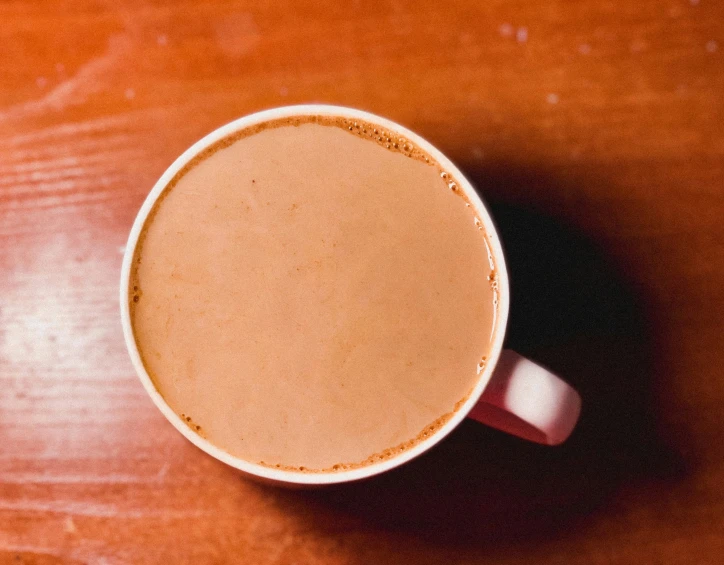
596, 131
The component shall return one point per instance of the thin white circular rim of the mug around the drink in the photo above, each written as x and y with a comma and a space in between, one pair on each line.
455, 176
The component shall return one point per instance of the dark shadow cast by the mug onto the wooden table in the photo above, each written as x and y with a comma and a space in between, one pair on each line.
571, 312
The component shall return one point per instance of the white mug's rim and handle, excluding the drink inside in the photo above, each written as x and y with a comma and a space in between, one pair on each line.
512, 394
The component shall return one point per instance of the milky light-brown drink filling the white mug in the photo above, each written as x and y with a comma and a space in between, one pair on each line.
305, 297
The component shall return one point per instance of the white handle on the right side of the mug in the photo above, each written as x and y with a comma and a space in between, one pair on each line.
528, 401
